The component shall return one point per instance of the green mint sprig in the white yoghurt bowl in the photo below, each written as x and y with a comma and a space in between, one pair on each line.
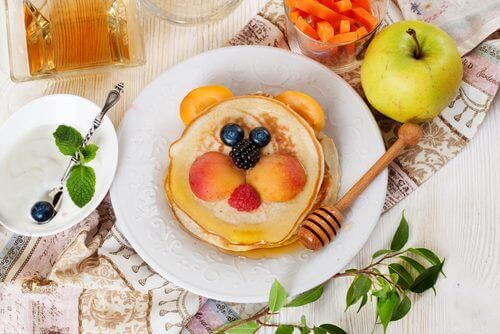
81, 180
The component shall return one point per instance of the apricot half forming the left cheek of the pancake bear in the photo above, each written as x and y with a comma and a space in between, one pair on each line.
213, 176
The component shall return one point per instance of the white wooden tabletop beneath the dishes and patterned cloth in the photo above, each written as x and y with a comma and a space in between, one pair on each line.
456, 213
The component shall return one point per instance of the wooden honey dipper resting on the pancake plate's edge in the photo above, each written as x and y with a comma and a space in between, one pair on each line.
323, 225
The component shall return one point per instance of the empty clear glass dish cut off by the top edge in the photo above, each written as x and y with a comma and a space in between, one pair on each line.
190, 11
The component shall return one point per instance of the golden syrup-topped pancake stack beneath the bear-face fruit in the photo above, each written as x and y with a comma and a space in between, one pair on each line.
272, 224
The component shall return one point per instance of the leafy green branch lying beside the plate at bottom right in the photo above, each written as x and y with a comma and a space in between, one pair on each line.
406, 271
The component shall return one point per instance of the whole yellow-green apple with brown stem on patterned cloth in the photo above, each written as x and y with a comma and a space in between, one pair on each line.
411, 71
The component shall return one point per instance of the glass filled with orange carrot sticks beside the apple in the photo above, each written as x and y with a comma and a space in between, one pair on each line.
334, 32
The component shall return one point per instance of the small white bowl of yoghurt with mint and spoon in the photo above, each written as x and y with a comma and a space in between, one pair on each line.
31, 165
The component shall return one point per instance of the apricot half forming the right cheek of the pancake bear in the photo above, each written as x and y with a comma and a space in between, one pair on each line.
277, 177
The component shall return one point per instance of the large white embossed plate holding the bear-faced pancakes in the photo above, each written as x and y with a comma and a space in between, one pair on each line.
153, 123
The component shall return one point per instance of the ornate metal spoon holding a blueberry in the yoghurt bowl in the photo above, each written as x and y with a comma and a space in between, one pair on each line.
44, 211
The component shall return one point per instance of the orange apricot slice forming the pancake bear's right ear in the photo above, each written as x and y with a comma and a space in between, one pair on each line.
304, 105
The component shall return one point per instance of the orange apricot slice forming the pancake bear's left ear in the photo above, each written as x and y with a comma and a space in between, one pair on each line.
199, 99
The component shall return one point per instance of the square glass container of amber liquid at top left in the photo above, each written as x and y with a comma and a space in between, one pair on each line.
50, 38
